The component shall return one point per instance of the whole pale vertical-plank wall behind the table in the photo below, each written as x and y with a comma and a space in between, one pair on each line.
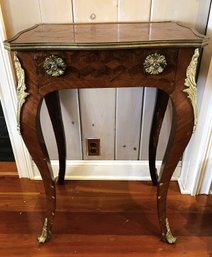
105, 113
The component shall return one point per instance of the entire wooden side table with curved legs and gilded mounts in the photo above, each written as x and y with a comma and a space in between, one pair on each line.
51, 57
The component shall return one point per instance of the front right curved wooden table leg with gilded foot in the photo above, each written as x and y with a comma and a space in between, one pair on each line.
182, 126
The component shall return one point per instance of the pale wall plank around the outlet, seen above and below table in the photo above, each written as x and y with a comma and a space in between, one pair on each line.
97, 106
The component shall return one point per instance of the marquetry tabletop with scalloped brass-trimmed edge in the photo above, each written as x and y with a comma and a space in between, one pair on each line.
106, 35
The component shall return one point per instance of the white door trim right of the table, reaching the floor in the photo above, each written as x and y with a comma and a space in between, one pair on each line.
195, 175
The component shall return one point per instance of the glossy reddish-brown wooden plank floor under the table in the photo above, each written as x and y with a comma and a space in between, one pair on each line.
101, 218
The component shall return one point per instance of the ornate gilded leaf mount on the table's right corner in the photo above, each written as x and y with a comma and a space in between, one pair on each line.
191, 85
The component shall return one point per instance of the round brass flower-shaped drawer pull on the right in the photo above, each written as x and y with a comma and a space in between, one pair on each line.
155, 64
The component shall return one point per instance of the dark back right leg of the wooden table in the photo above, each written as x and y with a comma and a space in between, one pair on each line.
159, 112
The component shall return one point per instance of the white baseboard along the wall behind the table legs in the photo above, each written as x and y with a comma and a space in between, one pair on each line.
106, 170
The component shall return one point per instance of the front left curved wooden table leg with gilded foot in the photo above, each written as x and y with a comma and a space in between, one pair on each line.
31, 132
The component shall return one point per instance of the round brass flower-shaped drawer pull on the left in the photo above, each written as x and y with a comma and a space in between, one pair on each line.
54, 66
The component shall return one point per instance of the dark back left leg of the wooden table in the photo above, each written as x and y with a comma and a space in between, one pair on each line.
53, 105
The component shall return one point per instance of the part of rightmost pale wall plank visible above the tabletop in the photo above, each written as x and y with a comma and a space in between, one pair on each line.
180, 10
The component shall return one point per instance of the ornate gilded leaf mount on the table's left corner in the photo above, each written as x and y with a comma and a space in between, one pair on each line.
21, 94
